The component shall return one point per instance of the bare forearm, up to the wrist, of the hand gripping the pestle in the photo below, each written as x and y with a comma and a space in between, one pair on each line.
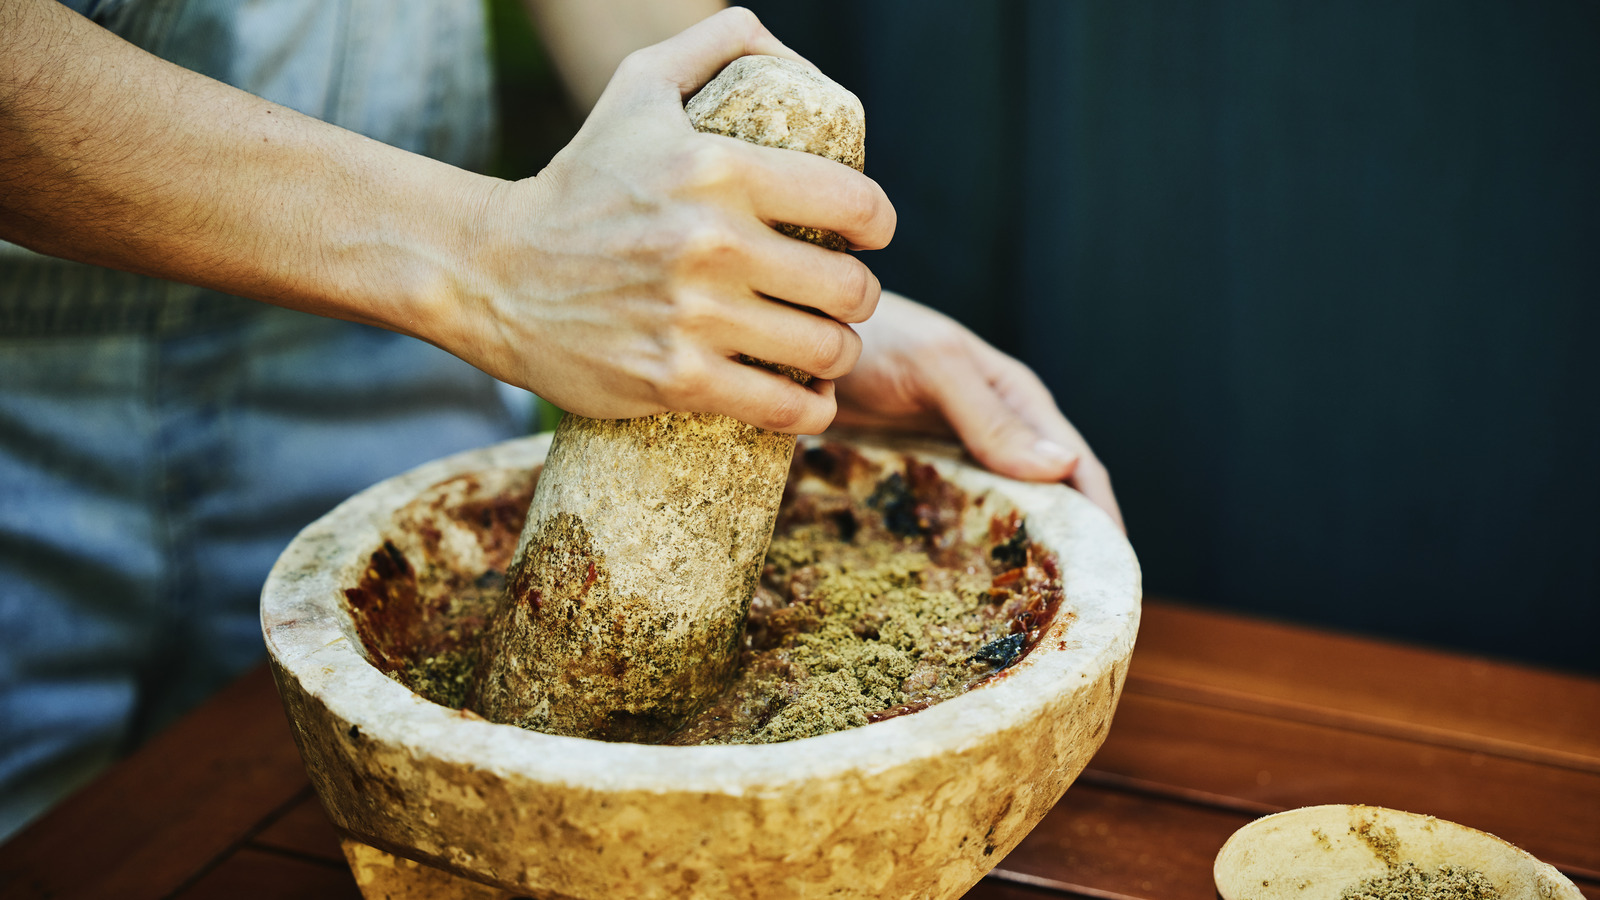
116, 158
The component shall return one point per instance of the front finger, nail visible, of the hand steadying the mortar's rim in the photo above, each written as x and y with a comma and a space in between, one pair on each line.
991, 430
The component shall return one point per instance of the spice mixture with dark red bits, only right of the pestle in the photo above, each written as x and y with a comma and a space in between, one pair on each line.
874, 609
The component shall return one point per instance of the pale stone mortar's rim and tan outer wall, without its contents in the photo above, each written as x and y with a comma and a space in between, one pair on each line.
918, 806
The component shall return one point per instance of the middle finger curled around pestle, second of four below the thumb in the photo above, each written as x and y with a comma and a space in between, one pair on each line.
799, 273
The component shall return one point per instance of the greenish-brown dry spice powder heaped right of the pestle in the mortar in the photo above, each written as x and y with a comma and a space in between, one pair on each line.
847, 633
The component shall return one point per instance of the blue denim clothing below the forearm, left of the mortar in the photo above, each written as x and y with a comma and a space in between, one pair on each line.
148, 486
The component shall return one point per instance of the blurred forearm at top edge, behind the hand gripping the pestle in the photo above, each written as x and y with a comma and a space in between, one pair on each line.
588, 39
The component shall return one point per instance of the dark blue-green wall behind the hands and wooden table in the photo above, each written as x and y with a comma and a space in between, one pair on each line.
1318, 281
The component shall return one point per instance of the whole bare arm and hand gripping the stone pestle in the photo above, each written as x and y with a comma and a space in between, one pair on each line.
626, 279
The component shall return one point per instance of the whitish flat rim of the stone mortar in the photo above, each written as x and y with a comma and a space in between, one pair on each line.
311, 638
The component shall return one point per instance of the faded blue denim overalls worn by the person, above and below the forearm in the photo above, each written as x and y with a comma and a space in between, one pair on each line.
161, 444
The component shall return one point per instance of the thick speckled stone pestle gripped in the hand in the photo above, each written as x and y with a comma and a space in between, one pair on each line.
626, 600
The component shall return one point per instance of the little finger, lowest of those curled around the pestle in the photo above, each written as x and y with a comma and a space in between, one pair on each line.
762, 398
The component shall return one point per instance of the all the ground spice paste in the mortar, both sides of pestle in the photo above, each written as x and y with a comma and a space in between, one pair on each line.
878, 600
